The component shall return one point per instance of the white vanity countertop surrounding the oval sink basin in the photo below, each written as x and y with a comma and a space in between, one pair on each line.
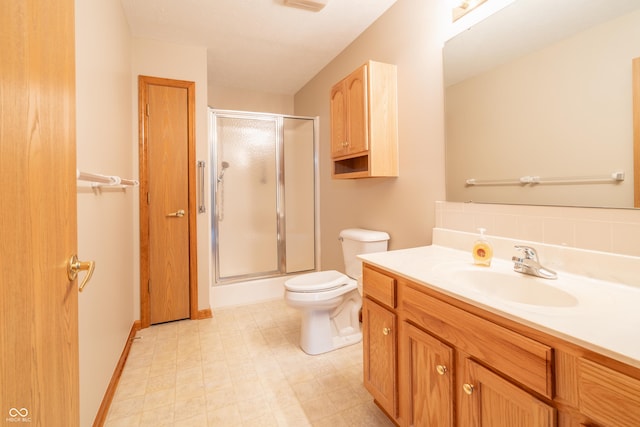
605, 319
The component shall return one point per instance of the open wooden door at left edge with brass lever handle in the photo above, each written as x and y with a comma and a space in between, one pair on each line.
39, 381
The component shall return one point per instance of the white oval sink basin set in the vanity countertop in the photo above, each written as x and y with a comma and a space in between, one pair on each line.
508, 285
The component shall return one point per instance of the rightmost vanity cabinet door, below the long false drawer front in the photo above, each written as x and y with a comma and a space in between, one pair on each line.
487, 399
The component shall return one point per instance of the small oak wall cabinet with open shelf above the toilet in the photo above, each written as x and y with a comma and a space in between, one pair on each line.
364, 123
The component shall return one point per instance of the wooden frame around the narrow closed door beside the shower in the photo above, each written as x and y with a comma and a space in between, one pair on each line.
143, 94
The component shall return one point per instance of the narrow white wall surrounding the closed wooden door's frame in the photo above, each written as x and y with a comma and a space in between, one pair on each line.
179, 62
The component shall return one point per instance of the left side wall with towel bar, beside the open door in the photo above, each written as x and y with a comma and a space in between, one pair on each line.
105, 221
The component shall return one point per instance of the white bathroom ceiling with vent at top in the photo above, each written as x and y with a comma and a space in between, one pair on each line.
256, 45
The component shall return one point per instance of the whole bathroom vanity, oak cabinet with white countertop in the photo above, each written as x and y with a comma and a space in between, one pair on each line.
445, 344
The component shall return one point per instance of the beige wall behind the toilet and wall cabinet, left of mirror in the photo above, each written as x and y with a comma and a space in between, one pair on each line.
409, 35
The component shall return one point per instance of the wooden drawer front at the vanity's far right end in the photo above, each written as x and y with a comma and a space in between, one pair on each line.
608, 396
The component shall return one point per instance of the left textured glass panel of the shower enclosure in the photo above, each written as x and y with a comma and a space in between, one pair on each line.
246, 196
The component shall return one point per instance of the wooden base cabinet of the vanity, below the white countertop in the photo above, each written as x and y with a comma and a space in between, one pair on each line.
455, 364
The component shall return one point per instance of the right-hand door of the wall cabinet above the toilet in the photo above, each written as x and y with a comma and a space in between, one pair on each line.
357, 111
